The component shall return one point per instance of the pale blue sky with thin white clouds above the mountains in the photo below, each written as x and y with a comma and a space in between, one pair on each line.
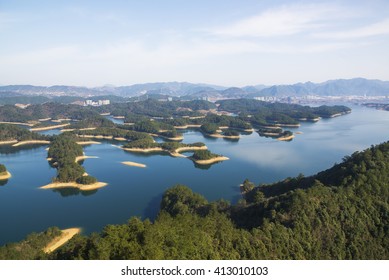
222, 42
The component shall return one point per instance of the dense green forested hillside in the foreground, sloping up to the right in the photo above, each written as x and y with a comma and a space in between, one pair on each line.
341, 213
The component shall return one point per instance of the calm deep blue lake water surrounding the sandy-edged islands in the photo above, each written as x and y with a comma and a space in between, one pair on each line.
136, 191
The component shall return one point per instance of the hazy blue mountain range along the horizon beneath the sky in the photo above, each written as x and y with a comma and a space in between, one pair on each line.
340, 87
